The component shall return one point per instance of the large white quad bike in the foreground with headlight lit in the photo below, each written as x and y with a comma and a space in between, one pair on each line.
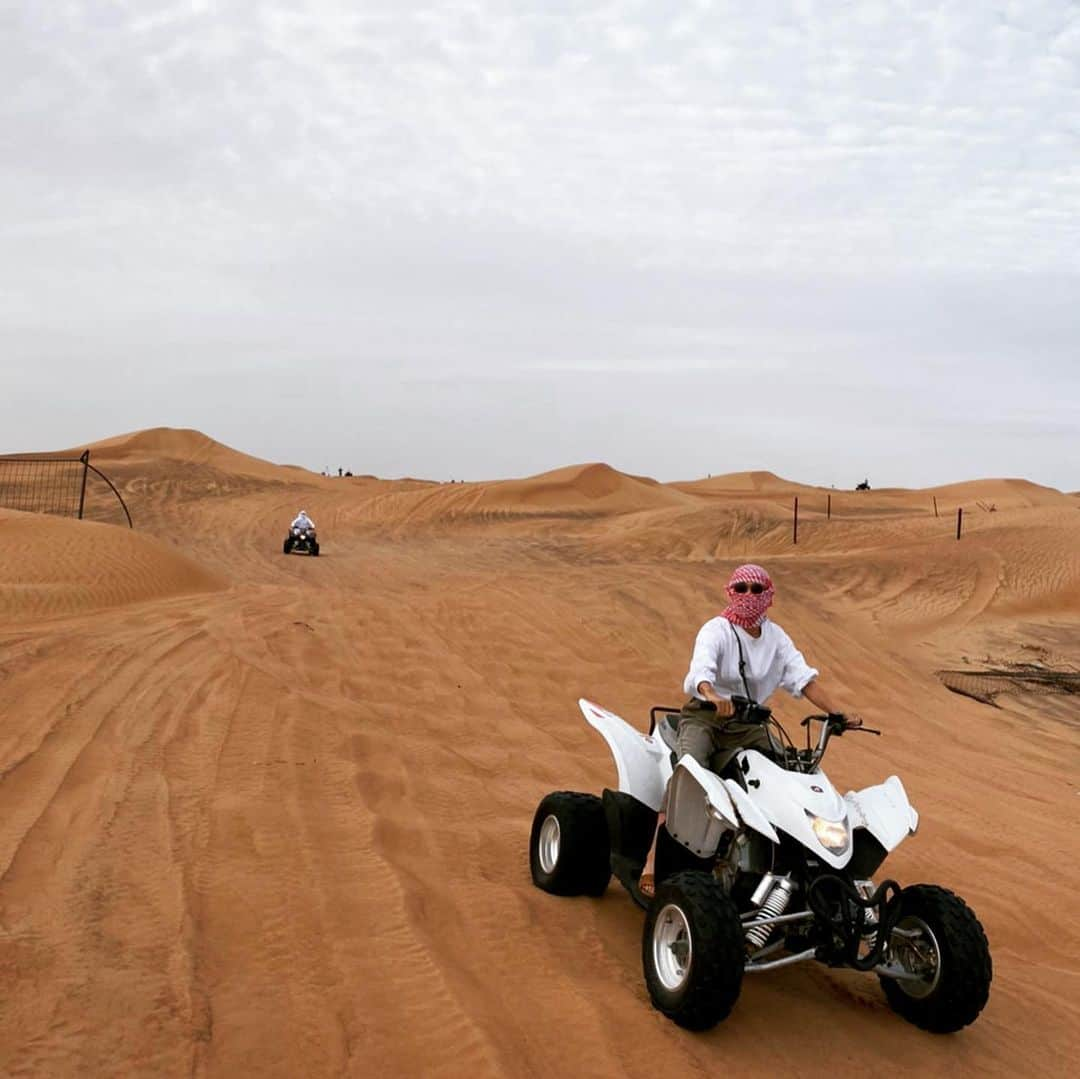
760, 868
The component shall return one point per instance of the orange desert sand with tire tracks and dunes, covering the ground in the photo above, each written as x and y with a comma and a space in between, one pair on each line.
267, 816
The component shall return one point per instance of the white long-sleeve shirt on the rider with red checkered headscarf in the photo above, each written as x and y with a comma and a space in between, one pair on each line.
773, 662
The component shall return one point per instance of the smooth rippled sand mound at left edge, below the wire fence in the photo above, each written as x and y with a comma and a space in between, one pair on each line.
58, 567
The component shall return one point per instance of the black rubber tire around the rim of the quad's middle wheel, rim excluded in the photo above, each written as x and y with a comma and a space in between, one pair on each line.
720, 952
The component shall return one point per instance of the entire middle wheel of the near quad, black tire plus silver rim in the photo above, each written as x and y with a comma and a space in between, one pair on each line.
709, 986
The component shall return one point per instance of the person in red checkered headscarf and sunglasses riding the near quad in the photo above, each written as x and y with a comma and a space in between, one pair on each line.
740, 653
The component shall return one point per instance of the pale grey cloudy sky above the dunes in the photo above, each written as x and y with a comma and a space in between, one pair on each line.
488, 238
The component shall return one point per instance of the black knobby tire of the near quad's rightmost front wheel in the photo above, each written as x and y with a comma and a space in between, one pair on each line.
964, 969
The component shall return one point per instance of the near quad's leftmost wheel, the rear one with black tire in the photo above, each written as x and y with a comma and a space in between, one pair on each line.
570, 853
